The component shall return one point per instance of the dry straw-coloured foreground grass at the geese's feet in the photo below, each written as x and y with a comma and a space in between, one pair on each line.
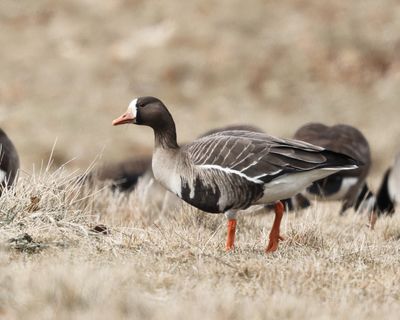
173, 266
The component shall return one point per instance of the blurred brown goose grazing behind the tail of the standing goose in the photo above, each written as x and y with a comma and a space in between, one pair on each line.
347, 186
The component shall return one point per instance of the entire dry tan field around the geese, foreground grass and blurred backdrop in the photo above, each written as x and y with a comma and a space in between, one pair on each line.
69, 67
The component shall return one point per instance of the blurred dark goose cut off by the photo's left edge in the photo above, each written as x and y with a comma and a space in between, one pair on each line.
9, 162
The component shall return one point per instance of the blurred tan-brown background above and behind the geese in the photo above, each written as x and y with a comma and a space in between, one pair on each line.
68, 68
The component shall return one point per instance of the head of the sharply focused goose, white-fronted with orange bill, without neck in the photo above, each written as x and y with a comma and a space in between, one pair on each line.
148, 111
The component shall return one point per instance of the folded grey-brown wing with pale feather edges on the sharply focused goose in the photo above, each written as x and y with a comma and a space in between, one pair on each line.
256, 155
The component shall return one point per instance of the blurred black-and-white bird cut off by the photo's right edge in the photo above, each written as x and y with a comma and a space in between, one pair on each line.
388, 195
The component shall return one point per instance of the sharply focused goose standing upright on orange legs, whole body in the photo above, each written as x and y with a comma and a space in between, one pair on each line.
232, 170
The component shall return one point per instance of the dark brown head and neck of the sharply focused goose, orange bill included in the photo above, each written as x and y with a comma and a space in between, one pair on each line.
150, 111
